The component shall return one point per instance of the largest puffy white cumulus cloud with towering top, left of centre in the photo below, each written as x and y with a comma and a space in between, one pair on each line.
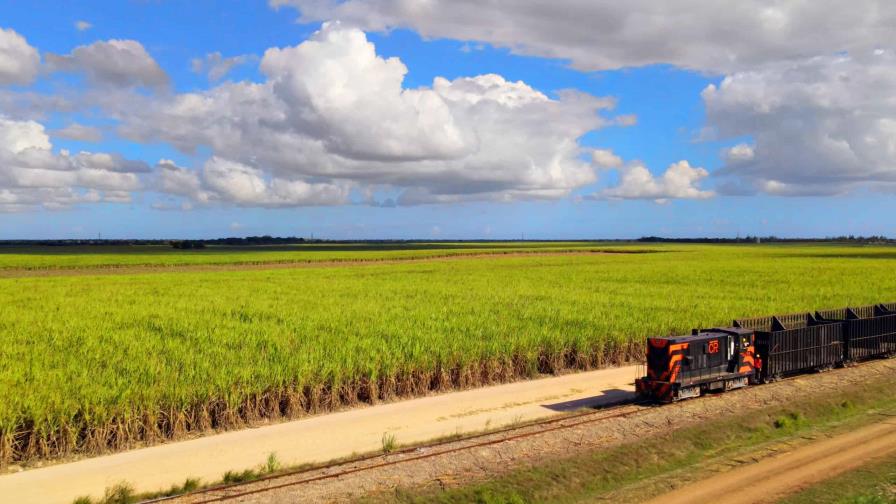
333, 114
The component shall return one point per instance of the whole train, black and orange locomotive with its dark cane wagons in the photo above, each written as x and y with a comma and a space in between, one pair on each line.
763, 349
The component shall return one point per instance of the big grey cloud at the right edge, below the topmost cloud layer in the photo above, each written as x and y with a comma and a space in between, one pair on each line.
820, 126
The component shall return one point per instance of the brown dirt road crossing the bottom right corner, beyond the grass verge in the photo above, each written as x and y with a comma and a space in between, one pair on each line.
772, 478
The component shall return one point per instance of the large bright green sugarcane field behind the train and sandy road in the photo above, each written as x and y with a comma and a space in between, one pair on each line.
91, 363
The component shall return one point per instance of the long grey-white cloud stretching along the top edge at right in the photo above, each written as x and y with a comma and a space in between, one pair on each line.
704, 35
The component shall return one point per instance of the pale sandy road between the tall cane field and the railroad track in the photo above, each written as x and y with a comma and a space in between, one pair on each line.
321, 438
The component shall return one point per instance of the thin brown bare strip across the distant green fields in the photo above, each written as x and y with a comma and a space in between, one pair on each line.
300, 264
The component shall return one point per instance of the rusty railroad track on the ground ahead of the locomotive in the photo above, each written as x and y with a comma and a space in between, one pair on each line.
226, 492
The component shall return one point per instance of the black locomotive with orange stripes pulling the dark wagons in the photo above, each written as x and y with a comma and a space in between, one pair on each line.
680, 367
